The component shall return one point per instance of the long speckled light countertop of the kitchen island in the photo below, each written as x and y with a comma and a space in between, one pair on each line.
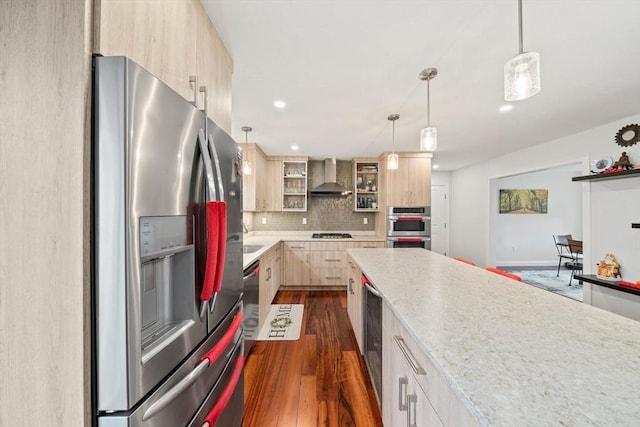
515, 354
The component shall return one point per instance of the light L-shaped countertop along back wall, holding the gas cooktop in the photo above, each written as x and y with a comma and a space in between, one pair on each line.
270, 239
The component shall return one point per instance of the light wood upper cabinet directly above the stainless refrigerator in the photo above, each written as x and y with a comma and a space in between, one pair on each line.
173, 40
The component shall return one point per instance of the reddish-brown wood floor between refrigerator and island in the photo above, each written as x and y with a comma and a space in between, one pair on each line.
318, 380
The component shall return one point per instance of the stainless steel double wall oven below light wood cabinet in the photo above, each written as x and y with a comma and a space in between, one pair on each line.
409, 227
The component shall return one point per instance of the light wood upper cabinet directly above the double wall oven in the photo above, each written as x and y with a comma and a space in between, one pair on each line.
410, 184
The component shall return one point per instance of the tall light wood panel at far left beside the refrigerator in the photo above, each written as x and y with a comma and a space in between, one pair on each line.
44, 82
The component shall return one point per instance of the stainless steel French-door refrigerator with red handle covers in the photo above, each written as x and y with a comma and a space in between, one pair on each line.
166, 257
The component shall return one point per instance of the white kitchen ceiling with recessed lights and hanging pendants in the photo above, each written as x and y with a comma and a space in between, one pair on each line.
343, 66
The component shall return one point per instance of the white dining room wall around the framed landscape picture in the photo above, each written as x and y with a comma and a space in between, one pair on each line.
526, 240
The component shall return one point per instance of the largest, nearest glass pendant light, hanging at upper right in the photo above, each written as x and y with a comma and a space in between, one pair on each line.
522, 72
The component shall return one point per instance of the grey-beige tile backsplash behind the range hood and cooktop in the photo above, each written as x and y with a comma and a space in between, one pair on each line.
326, 213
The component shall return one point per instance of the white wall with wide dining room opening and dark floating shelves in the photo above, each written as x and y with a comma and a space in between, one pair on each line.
471, 196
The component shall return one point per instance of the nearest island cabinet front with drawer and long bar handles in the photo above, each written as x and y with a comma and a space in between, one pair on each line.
412, 386
